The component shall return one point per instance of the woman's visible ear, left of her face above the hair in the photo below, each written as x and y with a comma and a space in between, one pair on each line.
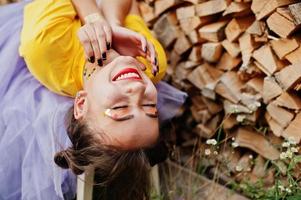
80, 105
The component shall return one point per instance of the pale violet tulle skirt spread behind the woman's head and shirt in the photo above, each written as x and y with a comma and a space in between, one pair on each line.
32, 122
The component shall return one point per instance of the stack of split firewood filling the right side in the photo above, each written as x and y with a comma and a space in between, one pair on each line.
240, 62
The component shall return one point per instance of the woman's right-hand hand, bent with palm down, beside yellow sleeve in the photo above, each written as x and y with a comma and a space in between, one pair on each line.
130, 43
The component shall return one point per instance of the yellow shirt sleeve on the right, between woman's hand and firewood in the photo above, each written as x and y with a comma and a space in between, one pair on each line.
136, 23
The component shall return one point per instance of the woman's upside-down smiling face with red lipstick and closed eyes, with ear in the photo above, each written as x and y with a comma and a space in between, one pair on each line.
119, 100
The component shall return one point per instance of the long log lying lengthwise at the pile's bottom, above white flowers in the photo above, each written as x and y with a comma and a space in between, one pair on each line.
257, 143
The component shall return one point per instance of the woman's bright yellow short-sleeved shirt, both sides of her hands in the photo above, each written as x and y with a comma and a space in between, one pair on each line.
53, 52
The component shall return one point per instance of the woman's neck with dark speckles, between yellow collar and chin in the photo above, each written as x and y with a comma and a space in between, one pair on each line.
91, 68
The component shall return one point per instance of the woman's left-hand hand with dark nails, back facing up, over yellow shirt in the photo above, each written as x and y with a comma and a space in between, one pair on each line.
96, 38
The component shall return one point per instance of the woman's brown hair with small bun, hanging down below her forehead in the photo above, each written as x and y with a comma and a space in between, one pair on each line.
119, 174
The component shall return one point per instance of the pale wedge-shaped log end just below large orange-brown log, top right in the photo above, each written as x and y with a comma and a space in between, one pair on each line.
283, 47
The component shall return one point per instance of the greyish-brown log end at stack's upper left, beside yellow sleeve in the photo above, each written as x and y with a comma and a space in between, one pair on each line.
166, 29
